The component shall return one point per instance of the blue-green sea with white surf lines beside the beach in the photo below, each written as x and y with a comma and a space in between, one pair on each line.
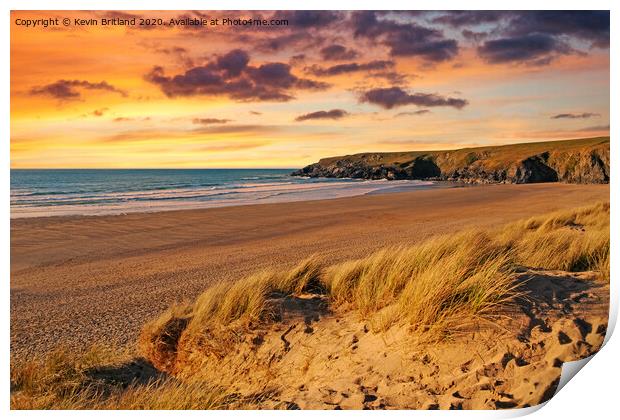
61, 192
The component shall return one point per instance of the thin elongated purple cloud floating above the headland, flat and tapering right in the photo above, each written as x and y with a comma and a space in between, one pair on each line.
389, 98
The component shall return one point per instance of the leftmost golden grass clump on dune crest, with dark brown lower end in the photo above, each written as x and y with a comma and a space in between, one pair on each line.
222, 315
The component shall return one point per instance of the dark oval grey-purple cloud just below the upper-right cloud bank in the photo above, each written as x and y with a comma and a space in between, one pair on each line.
535, 49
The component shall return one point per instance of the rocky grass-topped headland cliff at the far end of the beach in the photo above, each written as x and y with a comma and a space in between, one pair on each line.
574, 161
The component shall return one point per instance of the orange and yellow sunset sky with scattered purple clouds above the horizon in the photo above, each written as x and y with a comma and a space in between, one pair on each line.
310, 84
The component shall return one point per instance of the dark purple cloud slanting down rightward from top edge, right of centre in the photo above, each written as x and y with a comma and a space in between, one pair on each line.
405, 39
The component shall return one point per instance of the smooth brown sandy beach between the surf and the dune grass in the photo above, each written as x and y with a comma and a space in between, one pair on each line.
77, 280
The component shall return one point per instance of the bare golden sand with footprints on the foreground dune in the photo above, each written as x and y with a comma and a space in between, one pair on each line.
340, 363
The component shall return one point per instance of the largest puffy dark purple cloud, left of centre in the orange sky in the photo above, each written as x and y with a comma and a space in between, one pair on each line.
231, 75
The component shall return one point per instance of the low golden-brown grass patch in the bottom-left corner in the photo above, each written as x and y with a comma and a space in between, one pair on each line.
68, 380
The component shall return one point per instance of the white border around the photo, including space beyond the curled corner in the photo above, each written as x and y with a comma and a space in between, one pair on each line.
592, 395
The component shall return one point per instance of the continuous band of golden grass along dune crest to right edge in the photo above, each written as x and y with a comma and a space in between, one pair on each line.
435, 287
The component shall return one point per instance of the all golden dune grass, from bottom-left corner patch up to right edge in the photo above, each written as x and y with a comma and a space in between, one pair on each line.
434, 287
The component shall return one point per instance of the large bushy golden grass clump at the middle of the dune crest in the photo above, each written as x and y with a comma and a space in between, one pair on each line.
429, 286
